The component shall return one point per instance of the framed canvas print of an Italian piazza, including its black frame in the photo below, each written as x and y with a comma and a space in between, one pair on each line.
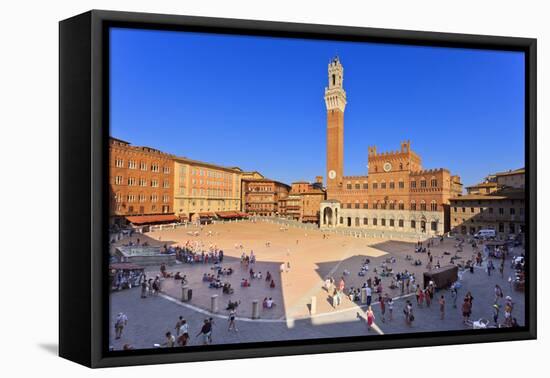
234, 188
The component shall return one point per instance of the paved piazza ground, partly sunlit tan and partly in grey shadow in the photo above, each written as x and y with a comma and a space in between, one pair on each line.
312, 258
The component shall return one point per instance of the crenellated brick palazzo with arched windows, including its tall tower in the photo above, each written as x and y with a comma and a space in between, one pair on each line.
397, 196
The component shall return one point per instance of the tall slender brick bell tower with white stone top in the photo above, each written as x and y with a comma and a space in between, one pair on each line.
335, 100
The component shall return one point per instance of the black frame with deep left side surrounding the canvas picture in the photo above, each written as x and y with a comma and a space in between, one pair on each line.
83, 196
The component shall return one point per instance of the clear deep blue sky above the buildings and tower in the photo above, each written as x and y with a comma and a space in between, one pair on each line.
259, 102
